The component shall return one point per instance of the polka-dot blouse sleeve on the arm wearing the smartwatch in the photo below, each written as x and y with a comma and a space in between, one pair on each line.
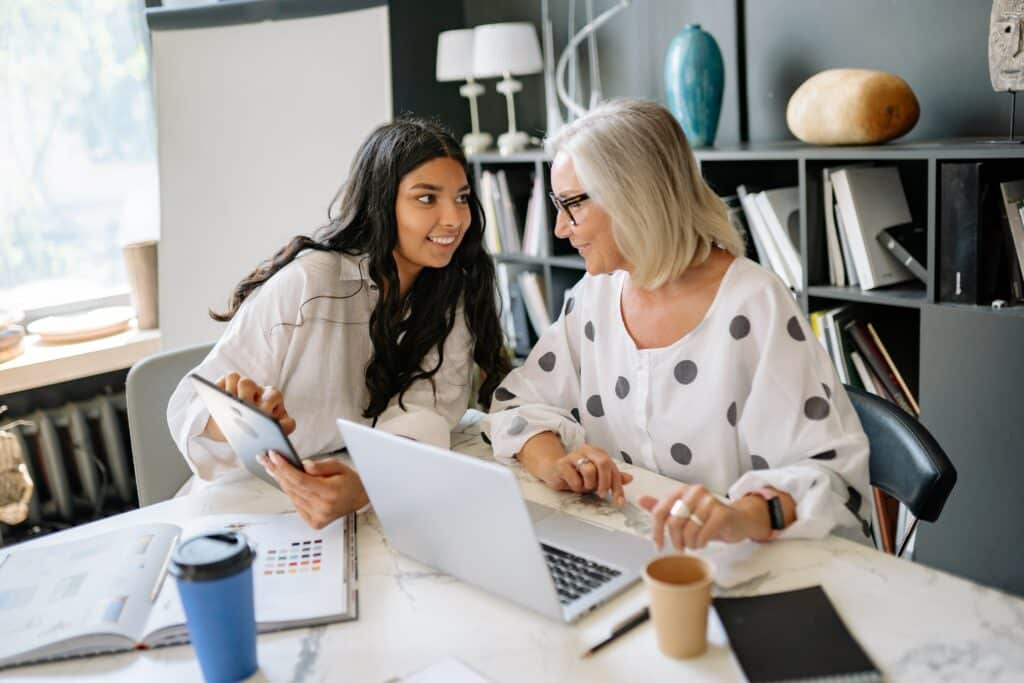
797, 424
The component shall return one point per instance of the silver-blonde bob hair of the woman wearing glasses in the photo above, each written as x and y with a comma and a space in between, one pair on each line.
633, 159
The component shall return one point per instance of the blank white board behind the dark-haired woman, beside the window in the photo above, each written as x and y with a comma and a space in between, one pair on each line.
258, 126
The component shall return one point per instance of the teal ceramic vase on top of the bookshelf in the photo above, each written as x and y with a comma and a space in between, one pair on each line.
695, 79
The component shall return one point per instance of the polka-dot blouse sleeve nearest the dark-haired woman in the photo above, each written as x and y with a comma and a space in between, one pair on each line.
542, 394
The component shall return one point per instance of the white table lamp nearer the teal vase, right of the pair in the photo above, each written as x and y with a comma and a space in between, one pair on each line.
507, 51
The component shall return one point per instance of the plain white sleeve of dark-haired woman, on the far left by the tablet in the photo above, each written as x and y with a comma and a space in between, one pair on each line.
251, 347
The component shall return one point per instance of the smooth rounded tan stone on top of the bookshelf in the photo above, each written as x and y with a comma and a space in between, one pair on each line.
852, 107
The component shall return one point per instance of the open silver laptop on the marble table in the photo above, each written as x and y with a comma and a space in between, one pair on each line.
467, 518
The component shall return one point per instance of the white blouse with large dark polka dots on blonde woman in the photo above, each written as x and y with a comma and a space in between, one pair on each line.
747, 400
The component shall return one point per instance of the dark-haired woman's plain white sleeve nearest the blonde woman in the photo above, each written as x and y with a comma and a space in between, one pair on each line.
431, 410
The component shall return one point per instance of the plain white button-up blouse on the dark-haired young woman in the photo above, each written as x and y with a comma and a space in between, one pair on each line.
306, 331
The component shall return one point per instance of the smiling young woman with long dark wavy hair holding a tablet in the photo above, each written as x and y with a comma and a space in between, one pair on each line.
379, 318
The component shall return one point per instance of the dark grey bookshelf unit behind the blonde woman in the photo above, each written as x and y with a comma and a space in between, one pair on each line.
963, 363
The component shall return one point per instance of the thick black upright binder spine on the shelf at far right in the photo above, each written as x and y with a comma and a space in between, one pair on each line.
959, 232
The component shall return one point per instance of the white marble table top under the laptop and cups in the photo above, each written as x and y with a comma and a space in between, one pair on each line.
916, 624
